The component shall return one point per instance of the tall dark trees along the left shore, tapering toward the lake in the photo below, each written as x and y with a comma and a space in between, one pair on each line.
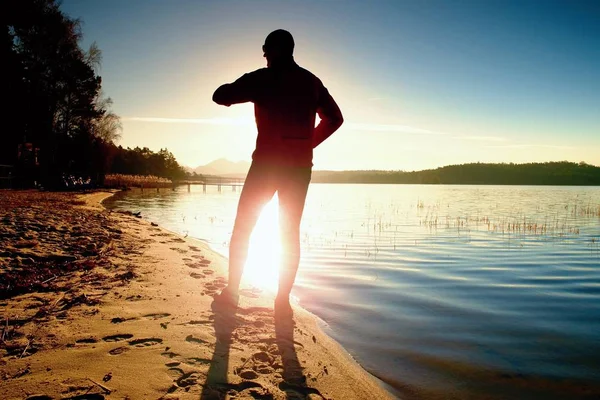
57, 119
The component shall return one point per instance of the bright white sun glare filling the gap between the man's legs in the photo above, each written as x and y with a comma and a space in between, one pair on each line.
262, 265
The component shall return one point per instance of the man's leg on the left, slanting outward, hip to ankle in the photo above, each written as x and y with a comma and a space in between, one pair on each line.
258, 189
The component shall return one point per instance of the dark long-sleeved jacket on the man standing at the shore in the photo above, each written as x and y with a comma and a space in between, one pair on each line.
286, 100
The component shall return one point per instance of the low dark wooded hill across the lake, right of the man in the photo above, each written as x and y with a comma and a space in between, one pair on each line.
551, 173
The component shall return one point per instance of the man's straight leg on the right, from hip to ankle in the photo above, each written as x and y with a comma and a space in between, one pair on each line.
292, 191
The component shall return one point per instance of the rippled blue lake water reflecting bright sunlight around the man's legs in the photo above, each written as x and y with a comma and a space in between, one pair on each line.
440, 291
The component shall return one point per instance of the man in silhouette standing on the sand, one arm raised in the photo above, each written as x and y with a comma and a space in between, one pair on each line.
286, 100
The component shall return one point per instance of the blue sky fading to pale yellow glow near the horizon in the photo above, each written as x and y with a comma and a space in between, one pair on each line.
421, 84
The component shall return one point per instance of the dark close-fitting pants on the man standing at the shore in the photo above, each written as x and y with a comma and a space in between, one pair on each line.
262, 181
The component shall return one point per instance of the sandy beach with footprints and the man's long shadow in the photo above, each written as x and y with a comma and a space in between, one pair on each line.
104, 305
